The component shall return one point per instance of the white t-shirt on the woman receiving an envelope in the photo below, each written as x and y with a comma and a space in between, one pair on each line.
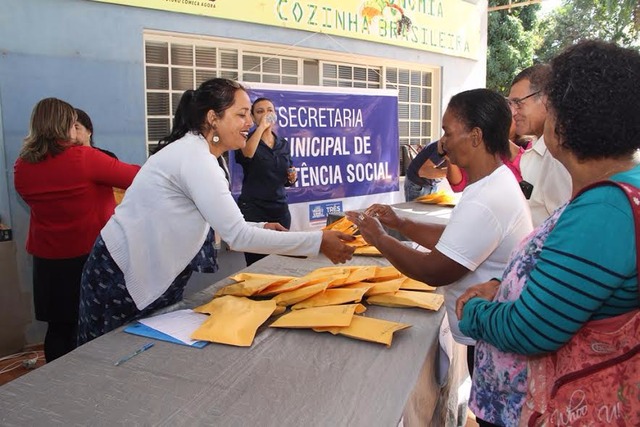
491, 218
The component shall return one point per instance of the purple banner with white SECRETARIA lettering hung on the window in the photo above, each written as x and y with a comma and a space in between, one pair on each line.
342, 144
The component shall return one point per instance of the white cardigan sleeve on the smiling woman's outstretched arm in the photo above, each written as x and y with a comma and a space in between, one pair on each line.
204, 182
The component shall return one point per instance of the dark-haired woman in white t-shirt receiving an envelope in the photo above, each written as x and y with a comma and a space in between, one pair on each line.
491, 217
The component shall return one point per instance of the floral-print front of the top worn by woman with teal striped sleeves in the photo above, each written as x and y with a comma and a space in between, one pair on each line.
499, 383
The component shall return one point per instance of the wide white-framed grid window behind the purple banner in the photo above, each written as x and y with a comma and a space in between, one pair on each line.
174, 64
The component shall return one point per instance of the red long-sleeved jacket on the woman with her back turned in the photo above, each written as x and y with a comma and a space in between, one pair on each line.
71, 199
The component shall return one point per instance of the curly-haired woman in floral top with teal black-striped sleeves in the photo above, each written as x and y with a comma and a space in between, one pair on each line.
580, 265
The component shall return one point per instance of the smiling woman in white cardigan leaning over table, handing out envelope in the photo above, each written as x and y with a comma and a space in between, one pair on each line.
163, 222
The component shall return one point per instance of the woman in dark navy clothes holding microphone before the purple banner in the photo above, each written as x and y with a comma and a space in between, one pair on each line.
267, 167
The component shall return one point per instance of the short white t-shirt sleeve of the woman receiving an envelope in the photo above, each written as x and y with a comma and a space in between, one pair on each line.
463, 242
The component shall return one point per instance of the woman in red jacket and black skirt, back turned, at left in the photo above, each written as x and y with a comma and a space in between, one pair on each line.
63, 183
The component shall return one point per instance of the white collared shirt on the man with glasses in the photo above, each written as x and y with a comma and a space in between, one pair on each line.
551, 181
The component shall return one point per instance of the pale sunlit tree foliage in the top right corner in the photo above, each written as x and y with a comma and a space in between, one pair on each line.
616, 21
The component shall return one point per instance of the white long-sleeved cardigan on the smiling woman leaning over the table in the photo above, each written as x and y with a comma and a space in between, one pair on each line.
164, 218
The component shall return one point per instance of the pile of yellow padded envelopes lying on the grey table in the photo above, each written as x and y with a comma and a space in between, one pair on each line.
327, 299
